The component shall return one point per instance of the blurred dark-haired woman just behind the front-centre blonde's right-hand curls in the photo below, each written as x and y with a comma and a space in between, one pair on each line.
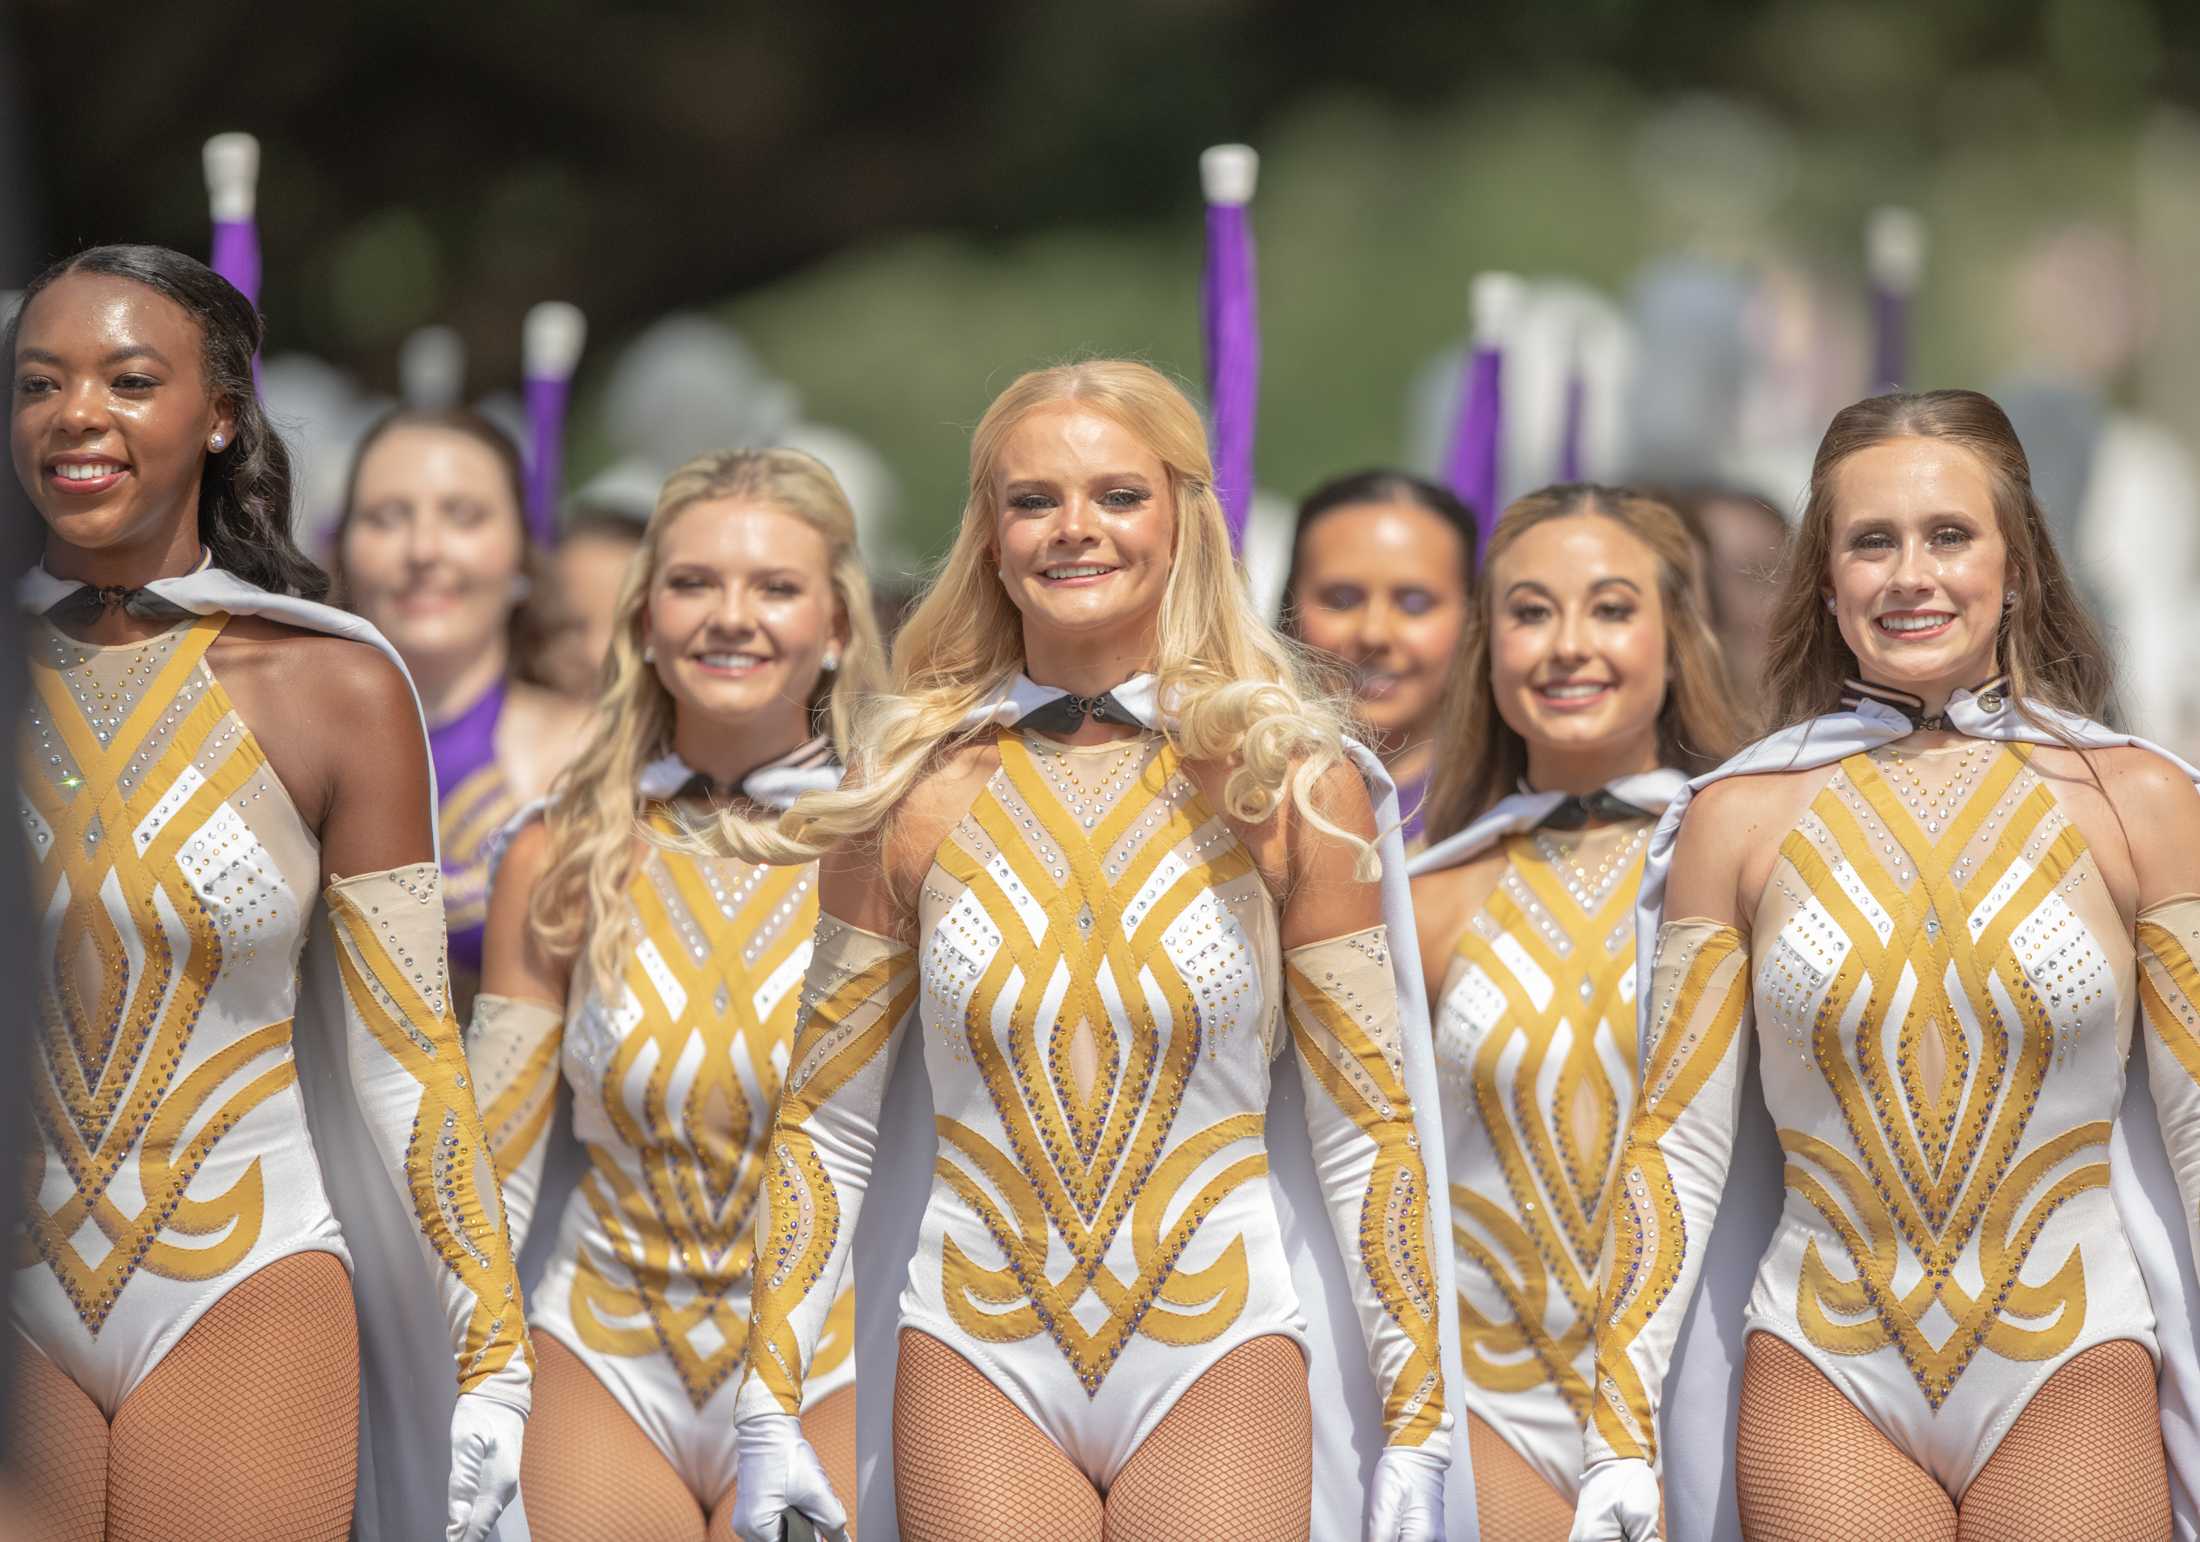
1380, 573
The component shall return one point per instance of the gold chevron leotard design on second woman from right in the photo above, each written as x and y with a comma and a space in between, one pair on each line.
1556, 947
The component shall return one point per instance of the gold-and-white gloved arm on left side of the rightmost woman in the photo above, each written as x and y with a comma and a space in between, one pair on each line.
1671, 1171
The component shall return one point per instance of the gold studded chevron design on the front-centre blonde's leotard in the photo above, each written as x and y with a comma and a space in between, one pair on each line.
1090, 1088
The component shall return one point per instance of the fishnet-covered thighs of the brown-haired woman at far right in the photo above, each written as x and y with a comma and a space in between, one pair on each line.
2082, 1462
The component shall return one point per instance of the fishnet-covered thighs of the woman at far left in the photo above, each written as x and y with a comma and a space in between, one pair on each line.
247, 1429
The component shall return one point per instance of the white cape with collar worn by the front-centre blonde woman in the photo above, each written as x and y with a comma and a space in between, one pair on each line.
1347, 1409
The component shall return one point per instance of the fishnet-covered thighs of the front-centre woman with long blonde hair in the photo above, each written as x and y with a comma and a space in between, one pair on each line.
1231, 1462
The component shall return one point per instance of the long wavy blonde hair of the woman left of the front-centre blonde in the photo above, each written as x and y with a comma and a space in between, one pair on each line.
595, 804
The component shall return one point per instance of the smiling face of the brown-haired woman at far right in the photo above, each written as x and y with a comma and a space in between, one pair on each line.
1917, 566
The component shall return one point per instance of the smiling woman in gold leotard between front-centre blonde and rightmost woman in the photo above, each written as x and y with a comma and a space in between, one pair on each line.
1585, 692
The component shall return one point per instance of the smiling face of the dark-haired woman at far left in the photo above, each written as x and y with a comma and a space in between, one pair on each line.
111, 426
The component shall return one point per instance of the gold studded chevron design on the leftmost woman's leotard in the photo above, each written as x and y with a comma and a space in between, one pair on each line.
122, 791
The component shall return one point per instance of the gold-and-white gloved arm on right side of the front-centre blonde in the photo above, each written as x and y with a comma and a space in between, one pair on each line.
1341, 1000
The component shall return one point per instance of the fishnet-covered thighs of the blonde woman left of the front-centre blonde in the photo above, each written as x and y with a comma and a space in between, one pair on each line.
591, 1475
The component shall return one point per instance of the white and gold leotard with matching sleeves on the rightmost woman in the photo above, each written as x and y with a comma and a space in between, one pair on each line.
1944, 1000
